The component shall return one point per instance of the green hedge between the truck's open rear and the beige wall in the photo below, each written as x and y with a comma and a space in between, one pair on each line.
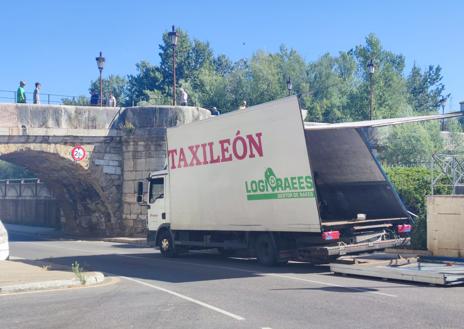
413, 184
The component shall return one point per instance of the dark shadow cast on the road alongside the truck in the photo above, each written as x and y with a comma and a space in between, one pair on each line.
189, 268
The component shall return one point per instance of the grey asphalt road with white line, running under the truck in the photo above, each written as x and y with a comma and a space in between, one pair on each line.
206, 291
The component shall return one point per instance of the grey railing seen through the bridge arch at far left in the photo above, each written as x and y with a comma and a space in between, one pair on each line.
26, 188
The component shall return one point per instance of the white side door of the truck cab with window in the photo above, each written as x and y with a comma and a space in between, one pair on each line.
157, 211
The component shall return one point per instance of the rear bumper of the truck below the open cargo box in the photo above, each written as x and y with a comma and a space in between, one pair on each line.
322, 253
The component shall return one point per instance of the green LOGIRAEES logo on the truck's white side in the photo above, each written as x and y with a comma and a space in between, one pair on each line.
273, 187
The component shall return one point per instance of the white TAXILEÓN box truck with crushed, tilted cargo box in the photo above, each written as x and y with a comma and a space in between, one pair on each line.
262, 182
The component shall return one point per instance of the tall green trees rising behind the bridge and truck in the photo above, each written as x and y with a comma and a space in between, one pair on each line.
333, 88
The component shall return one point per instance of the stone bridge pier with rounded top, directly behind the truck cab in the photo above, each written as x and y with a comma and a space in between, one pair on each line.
144, 151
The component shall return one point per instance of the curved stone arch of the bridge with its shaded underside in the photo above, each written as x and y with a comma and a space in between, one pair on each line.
82, 196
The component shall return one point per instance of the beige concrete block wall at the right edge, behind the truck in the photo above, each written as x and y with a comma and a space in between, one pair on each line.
445, 225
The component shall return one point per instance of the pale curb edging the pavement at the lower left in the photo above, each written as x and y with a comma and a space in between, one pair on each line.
91, 279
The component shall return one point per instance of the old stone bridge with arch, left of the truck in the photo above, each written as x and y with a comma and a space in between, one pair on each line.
96, 195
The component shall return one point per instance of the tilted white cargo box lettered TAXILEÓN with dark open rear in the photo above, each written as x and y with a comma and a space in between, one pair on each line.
259, 170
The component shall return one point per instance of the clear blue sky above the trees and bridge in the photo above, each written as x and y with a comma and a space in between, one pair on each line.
56, 42
